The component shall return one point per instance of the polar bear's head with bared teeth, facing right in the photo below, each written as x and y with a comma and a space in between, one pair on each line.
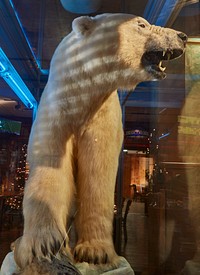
120, 50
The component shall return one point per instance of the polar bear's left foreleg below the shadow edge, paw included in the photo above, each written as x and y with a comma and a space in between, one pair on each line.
46, 203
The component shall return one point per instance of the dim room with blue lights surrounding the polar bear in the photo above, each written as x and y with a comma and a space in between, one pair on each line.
155, 226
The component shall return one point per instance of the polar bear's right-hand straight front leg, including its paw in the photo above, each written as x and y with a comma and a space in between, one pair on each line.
98, 154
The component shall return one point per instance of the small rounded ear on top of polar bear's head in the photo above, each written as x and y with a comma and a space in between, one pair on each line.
82, 25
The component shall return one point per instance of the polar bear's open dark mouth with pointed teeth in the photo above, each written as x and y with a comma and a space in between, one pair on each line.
152, 60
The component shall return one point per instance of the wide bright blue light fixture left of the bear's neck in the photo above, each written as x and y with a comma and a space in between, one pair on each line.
10, 75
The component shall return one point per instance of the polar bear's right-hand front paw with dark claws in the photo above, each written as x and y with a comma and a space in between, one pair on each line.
95, 252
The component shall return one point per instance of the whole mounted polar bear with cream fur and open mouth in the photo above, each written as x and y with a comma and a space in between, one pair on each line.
77, 135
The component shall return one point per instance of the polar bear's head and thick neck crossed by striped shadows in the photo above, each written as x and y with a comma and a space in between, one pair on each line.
102, 54
